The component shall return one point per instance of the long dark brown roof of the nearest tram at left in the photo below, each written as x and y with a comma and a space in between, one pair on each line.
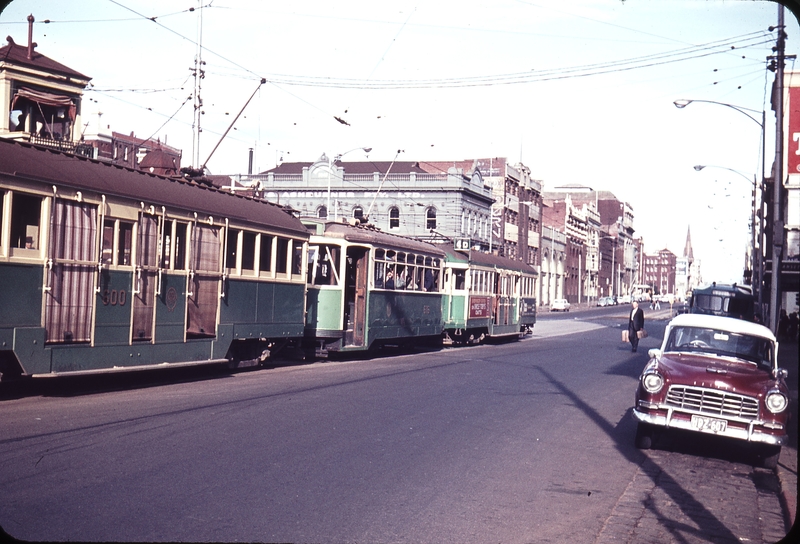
40, 164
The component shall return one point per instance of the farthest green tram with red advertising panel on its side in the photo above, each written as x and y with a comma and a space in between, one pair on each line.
486, 296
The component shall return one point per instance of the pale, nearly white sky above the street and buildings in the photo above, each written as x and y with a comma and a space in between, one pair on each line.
579, 91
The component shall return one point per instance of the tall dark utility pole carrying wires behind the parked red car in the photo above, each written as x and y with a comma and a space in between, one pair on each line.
777, 215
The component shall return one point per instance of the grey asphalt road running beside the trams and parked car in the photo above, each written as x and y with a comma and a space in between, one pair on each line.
517, 442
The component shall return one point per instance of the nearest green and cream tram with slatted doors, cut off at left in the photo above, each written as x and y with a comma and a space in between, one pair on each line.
105, 268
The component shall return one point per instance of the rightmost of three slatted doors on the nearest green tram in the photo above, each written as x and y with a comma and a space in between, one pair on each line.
204, 281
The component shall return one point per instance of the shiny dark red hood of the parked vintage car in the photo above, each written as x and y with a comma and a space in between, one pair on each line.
713, 372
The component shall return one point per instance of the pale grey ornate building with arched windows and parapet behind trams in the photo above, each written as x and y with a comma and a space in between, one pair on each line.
400, 197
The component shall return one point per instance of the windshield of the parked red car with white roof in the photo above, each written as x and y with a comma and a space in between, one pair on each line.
720, 342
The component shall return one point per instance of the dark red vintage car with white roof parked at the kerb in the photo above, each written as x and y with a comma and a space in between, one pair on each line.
716, 375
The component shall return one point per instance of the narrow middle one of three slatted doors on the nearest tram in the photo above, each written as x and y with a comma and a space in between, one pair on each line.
144, 280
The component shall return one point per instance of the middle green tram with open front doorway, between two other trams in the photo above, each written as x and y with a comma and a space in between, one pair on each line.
369, 289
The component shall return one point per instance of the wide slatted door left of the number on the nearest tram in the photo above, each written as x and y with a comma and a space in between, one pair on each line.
72, 265
